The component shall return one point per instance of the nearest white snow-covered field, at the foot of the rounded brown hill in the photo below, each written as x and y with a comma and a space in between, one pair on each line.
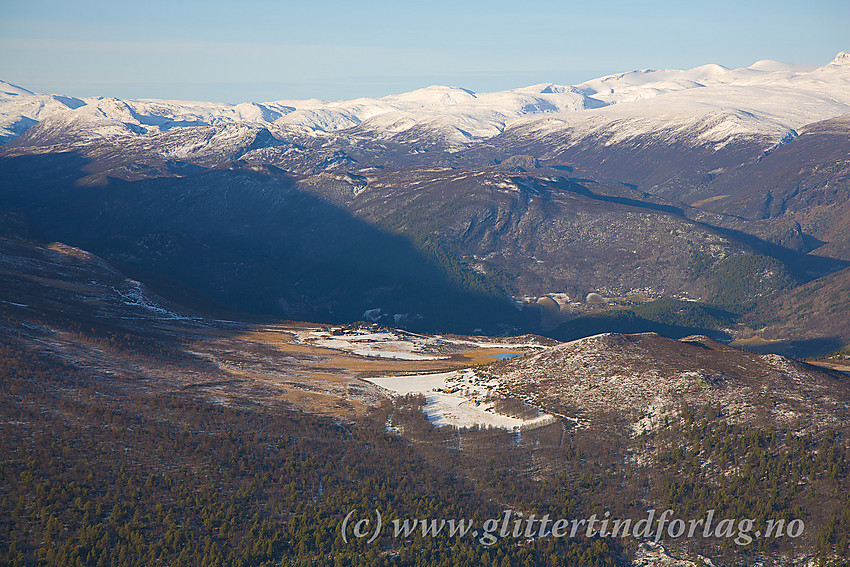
457, 398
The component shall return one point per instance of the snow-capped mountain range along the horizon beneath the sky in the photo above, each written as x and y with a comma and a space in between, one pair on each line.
769, 100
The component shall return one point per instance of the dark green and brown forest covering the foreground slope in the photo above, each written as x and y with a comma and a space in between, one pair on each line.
98, 473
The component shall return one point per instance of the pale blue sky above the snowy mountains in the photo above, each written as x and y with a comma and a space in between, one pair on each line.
270, 50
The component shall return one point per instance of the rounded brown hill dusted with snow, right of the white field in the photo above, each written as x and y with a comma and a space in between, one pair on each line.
644, 377
